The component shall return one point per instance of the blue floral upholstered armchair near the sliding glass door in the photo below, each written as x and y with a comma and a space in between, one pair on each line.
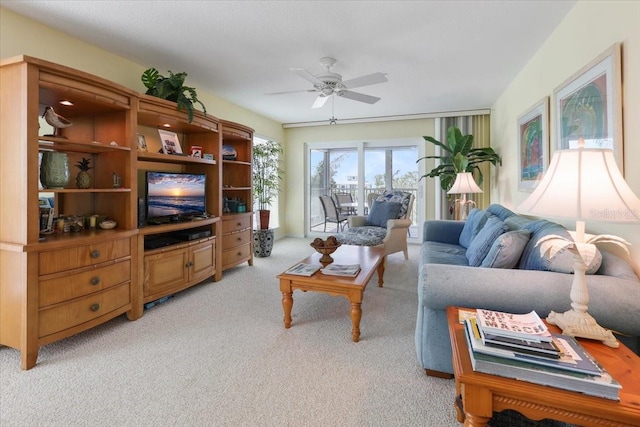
387, 224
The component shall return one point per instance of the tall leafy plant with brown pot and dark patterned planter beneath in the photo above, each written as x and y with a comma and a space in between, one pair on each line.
266, 184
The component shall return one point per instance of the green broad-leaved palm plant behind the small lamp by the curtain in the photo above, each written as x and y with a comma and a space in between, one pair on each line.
459, 156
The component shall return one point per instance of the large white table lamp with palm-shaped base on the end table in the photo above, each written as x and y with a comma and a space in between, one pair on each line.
583, 184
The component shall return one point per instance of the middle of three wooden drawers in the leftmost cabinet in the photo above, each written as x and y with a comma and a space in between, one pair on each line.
89, 281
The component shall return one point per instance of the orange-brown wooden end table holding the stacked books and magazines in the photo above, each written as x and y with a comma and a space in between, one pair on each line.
482, 394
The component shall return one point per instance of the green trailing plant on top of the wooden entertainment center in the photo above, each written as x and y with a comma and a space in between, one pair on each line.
172, 88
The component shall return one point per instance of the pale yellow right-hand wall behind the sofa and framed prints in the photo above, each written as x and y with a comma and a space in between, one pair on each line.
589, 29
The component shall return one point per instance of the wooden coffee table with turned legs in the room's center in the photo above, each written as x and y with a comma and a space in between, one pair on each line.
371, 259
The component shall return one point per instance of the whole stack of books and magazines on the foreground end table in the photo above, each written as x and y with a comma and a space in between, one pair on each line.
521, 347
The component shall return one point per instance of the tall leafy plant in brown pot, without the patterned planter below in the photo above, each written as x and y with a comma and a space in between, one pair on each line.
266, 177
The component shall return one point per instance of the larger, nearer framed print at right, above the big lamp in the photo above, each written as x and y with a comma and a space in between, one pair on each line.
588, 106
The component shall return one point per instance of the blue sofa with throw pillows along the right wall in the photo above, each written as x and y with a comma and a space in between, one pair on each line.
510, 275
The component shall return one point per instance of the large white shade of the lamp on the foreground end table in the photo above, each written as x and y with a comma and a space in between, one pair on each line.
585, 185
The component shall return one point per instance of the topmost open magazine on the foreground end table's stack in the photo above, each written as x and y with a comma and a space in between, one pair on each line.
523, 326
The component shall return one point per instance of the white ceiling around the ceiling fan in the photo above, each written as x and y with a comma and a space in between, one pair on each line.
439, 56
